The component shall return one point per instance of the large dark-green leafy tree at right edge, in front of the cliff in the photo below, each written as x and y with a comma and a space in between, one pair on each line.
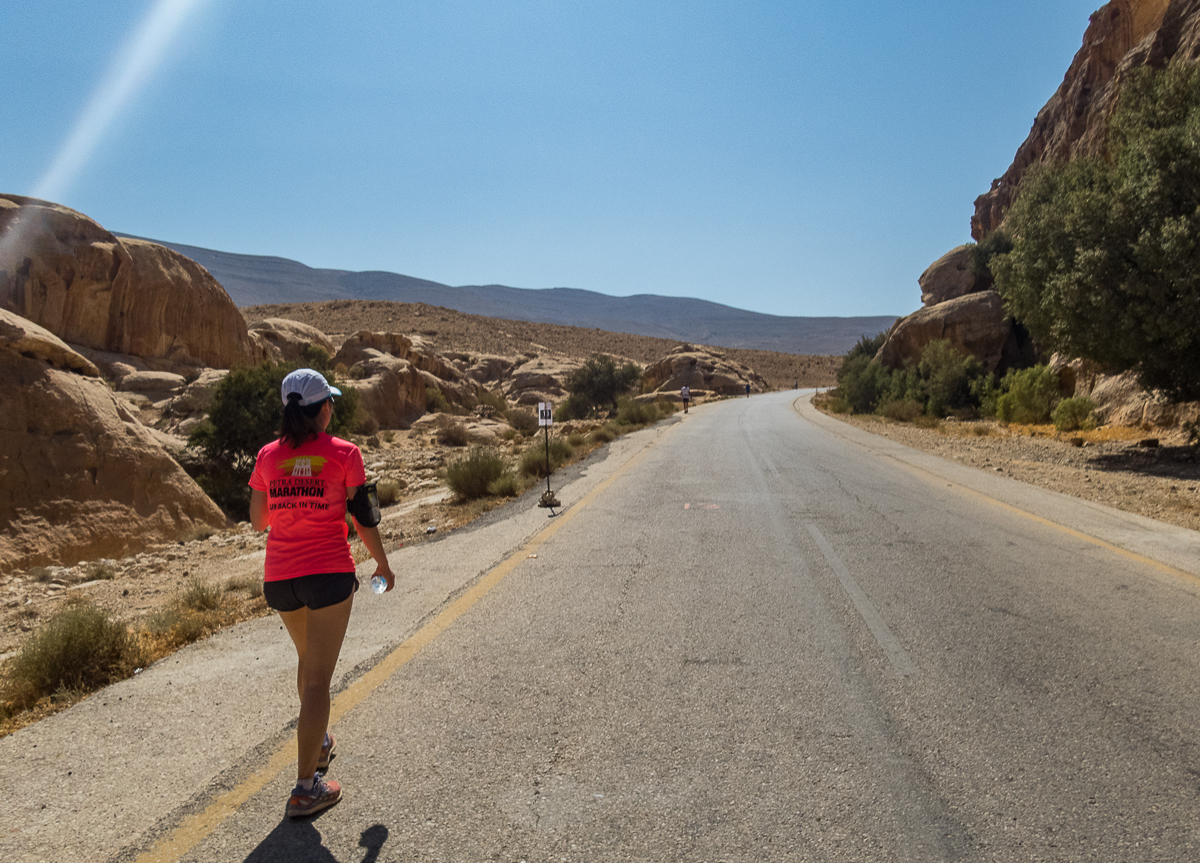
1106, 263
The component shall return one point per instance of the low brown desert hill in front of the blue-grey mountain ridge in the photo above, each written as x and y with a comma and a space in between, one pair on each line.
451, 332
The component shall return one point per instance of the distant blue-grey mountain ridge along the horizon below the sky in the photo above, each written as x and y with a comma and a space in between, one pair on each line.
255, 280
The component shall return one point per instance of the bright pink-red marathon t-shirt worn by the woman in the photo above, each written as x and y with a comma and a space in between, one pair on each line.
307, 505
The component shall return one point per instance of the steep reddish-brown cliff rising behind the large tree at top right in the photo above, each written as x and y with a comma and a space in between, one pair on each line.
1123, 35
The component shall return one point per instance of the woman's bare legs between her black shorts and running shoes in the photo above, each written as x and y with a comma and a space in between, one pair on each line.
317, 636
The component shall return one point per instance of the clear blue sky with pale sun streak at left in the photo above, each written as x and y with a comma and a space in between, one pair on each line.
787, 158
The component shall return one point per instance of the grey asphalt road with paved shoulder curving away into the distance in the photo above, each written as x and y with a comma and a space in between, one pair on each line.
754, 636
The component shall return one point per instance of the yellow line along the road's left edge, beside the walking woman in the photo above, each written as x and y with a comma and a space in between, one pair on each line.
195, 829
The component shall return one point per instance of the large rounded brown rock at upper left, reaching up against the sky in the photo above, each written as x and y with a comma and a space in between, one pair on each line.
64, 272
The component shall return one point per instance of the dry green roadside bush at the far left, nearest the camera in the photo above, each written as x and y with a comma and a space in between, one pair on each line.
79, 650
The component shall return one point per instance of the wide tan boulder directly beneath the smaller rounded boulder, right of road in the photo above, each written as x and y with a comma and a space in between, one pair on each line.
974, 325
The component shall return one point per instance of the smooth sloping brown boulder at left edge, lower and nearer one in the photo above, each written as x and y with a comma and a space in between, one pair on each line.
80, 476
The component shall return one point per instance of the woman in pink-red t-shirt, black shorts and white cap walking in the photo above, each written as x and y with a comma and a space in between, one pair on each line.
299, 490
